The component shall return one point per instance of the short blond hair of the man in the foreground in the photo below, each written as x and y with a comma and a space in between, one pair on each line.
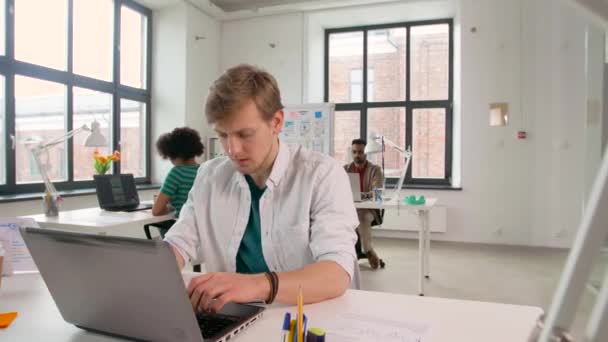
239, 85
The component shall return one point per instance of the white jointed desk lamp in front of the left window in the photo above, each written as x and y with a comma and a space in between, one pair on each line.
37, 147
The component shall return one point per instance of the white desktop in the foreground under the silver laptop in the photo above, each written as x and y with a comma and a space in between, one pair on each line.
448, 320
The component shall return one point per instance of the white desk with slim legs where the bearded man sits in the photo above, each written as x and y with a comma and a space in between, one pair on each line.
424, 233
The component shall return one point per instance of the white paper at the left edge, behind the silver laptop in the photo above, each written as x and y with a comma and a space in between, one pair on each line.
18, 258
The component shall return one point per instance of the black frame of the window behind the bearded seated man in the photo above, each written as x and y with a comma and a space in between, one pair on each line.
408, 104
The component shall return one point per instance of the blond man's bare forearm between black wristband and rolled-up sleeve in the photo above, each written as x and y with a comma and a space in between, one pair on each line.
320, 281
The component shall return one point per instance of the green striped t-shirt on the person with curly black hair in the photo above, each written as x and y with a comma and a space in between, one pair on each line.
178, 183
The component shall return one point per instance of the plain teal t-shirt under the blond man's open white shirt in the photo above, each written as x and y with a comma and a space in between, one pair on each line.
250, 258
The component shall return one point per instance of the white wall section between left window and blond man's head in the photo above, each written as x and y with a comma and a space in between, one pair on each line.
183, 67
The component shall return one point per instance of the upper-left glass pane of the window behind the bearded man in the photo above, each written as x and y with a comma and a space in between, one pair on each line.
345, 57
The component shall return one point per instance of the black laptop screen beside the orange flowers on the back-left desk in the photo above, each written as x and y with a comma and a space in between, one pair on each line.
116, 191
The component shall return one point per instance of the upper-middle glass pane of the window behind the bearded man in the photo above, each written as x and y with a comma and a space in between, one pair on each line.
386, 57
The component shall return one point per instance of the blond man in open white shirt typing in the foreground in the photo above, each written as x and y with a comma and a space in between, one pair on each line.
267, 219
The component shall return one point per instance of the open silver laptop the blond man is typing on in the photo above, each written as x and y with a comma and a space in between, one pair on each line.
126, 287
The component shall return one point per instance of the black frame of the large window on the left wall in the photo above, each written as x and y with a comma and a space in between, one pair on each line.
10, 67
